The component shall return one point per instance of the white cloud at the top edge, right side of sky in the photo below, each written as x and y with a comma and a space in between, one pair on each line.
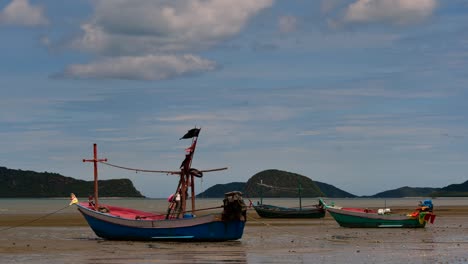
398, 12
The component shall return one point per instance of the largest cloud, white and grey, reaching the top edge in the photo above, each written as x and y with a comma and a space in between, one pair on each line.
145, 26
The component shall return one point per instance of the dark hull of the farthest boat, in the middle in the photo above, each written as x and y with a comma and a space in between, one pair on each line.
270, 211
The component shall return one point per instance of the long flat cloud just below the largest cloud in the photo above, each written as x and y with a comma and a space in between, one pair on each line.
149, 67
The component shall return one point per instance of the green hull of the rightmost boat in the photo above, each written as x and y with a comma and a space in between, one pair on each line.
371, 220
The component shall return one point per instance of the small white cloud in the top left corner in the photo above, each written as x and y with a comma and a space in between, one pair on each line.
22, 13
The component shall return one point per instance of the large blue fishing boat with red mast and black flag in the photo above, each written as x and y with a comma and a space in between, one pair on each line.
178, 223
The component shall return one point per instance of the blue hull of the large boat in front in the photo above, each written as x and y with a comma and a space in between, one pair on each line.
204, 228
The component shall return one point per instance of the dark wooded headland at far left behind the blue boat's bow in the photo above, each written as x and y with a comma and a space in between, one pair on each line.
19, 183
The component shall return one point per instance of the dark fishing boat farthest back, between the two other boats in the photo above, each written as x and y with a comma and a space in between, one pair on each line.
272, 211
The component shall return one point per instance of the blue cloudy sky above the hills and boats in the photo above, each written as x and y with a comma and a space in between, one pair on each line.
366, 95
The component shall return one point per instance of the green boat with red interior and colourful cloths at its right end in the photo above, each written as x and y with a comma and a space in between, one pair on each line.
363, 217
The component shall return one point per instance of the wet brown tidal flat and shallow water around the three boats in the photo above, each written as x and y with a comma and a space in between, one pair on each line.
264, 240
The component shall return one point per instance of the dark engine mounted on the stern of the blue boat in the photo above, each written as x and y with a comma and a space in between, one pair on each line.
234, 207
